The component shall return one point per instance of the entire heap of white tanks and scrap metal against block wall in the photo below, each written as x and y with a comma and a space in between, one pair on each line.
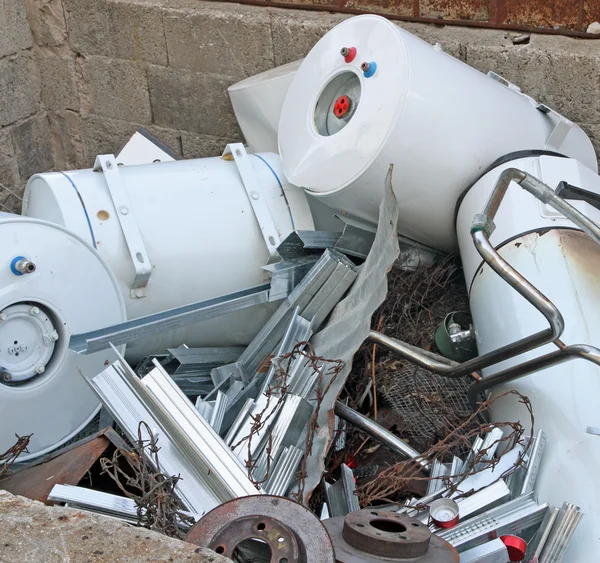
236, 372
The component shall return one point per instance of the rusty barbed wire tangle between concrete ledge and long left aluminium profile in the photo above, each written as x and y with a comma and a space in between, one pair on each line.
138, 475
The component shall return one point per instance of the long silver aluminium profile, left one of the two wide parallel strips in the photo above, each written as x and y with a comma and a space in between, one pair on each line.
125, 398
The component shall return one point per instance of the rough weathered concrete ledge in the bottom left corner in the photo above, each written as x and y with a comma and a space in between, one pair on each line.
33, 532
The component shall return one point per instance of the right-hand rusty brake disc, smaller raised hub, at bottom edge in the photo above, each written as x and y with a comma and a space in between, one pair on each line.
374, 536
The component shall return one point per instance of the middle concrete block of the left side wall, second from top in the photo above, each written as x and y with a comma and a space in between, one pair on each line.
19, 88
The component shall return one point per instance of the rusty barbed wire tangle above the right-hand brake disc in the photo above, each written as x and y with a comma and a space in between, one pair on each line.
394, 480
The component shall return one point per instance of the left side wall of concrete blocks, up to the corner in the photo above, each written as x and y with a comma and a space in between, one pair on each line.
25, 140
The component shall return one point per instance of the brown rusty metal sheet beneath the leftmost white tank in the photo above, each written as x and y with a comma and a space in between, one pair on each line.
66, 467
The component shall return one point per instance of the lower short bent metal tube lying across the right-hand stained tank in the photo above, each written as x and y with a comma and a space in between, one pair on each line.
582, 351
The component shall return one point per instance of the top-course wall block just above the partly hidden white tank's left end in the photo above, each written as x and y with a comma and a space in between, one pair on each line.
226, 39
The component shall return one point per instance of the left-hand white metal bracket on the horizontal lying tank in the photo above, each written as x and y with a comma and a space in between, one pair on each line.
135, 243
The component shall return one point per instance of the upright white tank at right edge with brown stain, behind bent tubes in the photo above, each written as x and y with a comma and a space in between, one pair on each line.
564, 264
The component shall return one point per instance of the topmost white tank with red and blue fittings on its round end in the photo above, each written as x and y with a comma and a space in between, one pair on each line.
392, 98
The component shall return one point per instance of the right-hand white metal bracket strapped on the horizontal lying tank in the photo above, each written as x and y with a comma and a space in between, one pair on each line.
257, 200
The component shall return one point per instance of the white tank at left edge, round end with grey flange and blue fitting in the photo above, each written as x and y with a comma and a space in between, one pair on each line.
66, 289
